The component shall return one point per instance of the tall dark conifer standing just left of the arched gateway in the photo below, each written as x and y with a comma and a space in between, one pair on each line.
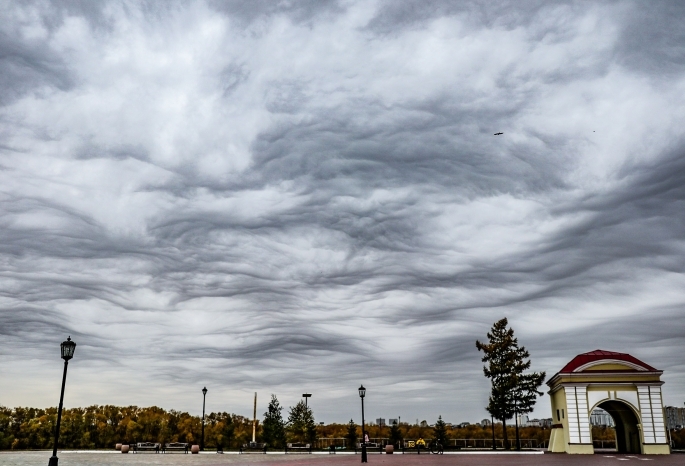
513, 391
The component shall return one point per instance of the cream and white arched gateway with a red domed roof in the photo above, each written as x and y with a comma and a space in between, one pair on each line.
627, 388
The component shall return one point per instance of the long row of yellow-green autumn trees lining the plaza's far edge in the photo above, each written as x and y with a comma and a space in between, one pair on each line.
103, 426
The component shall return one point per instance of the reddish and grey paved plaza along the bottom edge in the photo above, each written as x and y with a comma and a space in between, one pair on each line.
40, 458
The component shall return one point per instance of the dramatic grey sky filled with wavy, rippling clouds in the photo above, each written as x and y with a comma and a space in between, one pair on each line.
280, 196
